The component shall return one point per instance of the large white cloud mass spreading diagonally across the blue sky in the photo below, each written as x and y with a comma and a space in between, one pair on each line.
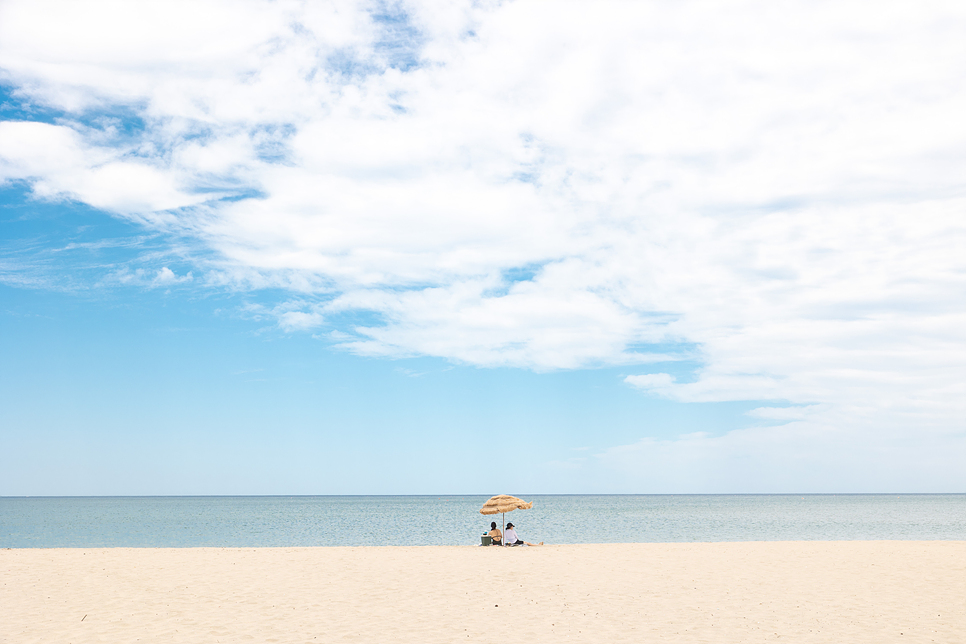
778, 188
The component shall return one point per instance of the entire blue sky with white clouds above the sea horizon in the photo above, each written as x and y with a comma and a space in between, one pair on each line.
482, 247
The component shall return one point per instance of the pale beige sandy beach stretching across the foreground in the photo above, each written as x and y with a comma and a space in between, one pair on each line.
885, 591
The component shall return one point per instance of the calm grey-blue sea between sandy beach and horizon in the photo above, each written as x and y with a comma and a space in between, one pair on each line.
48, 522
